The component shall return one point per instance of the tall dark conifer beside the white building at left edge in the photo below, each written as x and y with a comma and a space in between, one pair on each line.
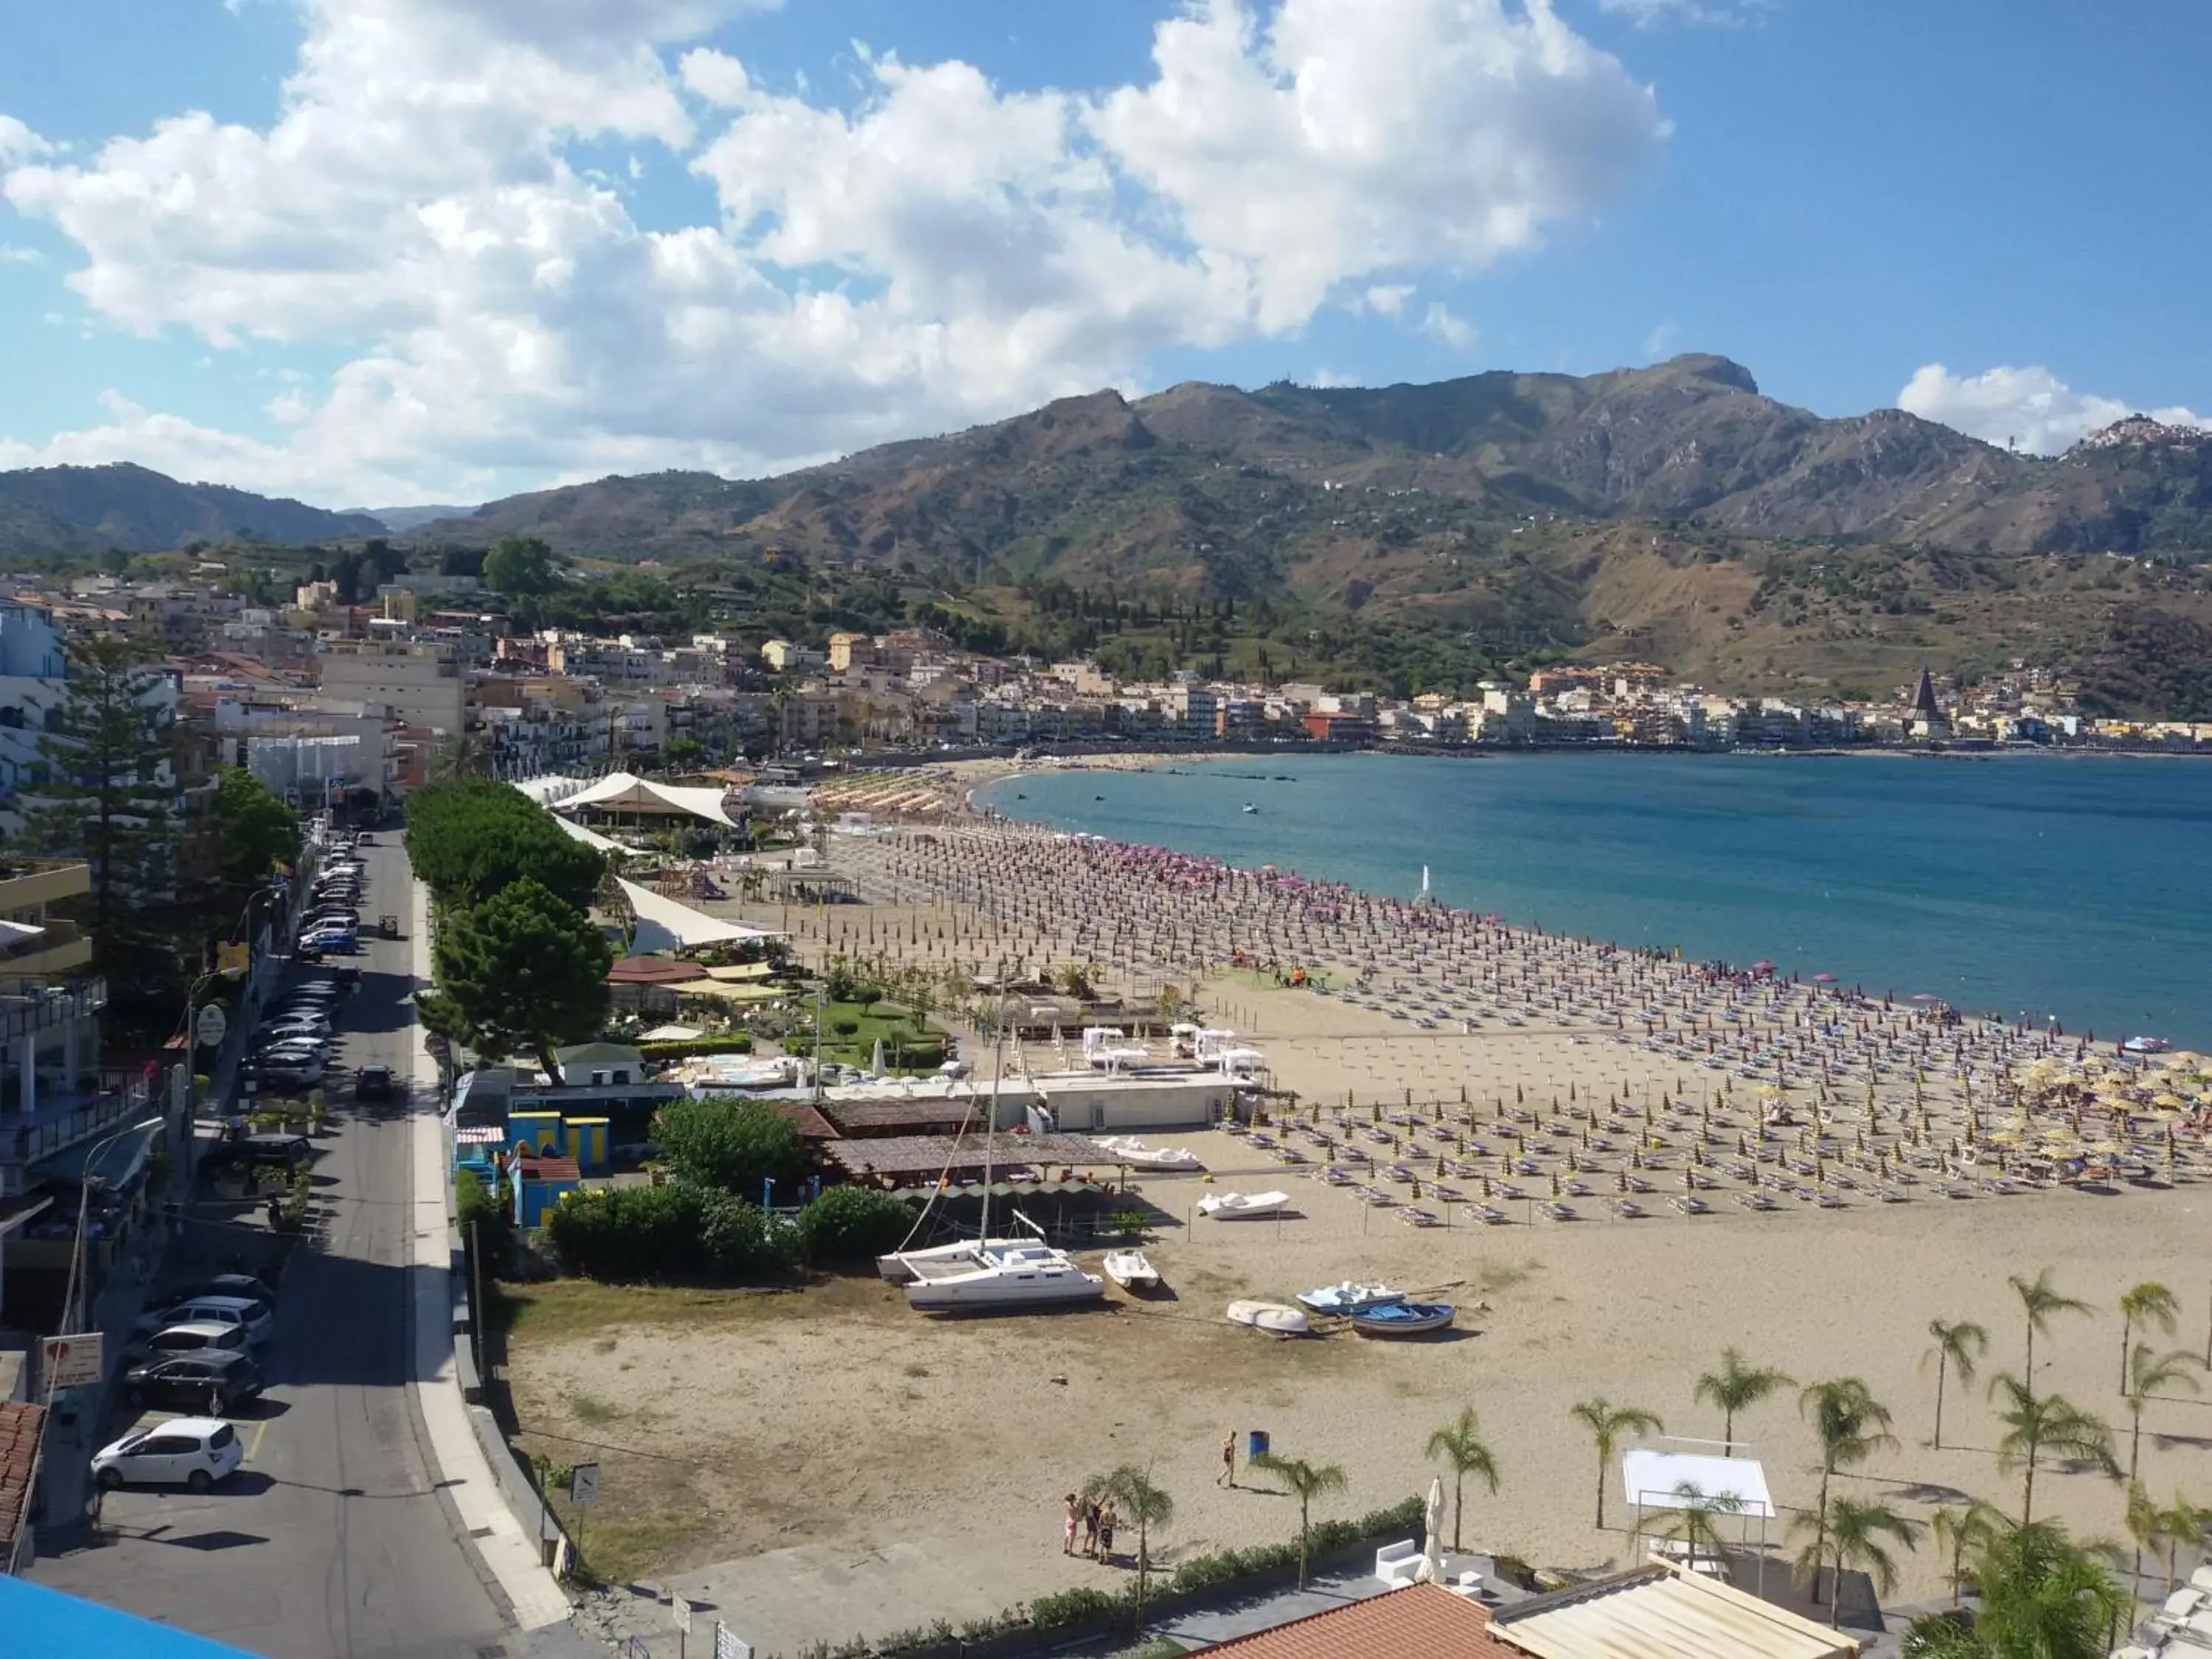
107, 795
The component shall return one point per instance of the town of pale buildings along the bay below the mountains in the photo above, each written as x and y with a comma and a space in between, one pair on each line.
328, 700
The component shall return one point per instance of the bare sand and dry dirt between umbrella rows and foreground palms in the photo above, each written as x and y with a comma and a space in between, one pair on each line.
740, 1423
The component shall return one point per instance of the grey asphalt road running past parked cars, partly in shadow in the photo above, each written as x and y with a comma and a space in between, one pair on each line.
335, 1541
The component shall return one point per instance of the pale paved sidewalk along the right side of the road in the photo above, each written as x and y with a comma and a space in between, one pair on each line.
510, 1554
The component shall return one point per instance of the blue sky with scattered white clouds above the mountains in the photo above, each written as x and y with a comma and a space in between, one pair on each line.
401, 251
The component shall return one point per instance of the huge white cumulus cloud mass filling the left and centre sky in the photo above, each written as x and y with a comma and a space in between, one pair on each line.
935, 253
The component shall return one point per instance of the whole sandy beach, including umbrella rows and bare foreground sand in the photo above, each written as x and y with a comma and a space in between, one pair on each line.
1903, 1165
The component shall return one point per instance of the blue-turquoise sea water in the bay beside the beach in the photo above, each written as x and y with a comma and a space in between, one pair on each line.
2036, 886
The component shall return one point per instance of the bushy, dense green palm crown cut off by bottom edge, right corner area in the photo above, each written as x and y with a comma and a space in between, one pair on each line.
2041, 1596
